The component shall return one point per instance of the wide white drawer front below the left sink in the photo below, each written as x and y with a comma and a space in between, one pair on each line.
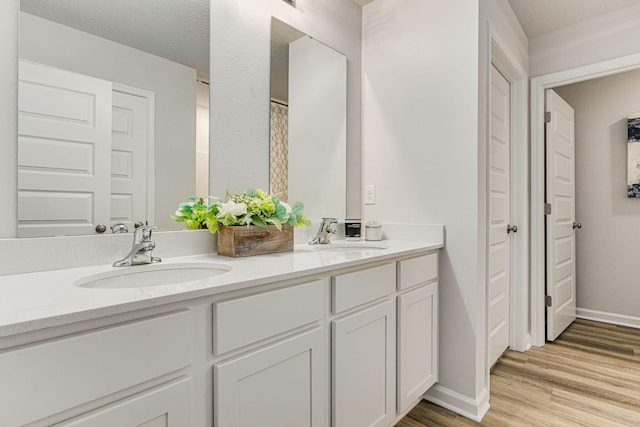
43, 379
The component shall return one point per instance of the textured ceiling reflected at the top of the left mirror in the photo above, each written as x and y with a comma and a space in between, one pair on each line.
174, 29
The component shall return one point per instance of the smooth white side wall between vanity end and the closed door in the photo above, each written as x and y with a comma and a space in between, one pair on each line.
420, 150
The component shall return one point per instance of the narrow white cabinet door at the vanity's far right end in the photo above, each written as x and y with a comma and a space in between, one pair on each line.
417, 344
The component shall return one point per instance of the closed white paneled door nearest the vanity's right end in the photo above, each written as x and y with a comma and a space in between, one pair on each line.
499, 216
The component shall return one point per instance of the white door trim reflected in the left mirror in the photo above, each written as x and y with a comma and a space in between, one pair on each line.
151, 141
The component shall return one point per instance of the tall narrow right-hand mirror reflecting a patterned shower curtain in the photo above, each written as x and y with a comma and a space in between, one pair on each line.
308, 122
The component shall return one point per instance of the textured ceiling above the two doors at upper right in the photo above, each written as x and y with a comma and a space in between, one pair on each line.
541, 16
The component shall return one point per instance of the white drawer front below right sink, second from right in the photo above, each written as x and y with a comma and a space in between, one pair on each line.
360, 287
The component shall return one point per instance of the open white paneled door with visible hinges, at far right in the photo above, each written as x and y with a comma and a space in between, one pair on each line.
560, 195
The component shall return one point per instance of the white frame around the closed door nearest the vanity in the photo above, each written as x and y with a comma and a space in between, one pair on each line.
506, 62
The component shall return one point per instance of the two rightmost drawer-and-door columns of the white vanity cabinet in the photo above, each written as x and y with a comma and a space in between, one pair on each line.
385, 346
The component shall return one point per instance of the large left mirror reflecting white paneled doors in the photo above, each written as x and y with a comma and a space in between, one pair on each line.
110, 112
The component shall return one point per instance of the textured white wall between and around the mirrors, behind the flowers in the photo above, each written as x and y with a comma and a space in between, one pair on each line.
240, 63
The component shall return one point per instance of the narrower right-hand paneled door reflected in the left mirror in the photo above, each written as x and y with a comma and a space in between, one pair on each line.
129, 142
